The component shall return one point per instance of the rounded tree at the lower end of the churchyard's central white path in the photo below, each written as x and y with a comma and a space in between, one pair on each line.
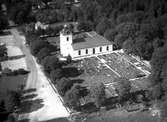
123, 86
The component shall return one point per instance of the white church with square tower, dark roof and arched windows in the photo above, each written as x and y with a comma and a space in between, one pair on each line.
83, 45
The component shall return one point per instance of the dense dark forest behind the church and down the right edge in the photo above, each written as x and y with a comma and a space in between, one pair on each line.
137, 26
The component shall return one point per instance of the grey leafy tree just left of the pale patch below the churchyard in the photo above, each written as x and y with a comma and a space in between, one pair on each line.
97, 91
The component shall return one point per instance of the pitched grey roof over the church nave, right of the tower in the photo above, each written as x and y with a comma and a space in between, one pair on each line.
89, 40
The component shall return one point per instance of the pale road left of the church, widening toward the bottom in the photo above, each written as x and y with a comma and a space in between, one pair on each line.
52, 104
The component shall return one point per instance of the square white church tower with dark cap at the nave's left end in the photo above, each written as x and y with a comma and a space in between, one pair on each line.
66, 41
